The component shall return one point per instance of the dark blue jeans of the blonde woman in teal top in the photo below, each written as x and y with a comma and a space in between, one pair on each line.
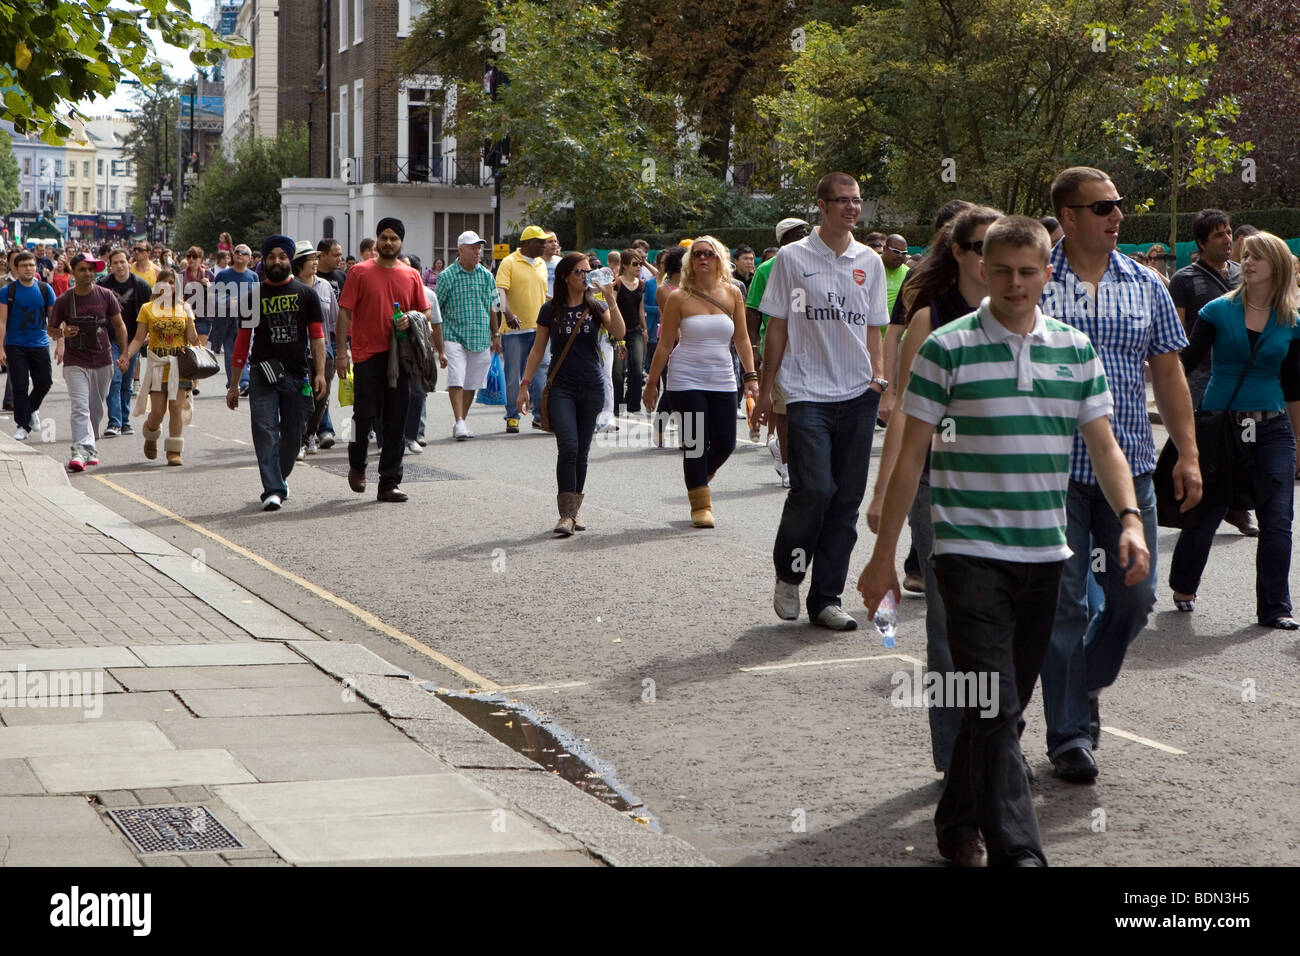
1273, 453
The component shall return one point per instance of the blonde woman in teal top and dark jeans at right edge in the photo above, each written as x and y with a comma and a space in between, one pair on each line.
1255, 375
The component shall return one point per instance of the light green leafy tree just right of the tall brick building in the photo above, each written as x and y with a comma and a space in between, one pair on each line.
582, 127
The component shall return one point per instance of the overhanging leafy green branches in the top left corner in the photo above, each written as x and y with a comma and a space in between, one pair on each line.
58, 53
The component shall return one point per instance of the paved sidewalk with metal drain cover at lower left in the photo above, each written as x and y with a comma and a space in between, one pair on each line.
133, 677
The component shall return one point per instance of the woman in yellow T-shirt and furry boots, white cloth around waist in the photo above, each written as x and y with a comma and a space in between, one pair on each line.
166, 327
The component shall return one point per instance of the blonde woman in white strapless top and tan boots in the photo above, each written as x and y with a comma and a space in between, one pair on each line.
704, 317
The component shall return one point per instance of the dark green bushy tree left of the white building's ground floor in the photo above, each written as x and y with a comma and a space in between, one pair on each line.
241, 194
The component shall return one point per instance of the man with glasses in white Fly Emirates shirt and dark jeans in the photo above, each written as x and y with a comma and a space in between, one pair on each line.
826, 297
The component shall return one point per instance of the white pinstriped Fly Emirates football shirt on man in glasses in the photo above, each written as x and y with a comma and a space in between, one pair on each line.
829, 304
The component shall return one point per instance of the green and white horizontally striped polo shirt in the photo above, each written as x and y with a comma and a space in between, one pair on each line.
1006, 409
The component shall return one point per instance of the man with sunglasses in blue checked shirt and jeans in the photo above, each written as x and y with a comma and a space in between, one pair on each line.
1129, 317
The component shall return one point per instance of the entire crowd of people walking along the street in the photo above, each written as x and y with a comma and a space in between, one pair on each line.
1009, 366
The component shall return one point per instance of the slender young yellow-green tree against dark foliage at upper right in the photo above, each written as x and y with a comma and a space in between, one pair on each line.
1177, 128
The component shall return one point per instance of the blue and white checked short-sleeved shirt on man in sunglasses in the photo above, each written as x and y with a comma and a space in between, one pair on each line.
1132, 319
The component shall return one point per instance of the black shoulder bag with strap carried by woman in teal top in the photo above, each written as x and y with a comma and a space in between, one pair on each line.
1221, 460
